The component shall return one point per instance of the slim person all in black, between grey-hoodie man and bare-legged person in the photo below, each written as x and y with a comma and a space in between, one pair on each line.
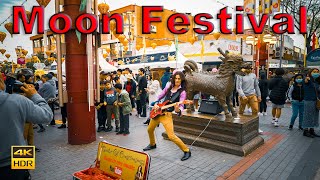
264, 89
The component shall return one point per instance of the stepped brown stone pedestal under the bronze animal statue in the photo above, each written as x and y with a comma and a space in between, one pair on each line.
238, 137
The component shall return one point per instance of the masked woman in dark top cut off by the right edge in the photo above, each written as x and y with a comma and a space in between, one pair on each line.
311, 113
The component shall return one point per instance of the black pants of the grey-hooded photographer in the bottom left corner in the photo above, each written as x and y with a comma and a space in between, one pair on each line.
13, 174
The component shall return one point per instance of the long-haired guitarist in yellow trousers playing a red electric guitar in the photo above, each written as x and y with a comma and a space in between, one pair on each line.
175, 92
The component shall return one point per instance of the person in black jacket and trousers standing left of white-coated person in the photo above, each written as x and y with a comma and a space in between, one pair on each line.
142, 91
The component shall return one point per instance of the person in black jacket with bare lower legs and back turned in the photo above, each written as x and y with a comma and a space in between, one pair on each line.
278, 87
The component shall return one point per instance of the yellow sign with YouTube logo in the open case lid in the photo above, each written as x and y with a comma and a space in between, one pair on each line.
122, 163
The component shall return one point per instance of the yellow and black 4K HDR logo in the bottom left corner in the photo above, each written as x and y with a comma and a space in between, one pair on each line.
23, 157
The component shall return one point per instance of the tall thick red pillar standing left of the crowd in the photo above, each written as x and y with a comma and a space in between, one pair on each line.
81, 121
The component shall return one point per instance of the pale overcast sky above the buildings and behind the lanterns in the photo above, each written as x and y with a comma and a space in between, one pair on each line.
184, 6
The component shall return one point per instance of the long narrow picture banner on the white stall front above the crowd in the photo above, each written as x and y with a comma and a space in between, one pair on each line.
149, 58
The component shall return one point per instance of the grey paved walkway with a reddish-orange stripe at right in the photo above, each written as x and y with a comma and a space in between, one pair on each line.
282, 154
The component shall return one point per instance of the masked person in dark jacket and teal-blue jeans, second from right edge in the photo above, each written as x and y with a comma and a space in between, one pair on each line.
296, 96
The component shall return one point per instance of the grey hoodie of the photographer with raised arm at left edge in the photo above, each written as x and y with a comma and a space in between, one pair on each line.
15, 110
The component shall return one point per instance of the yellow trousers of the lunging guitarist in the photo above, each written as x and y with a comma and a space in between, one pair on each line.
166, 121
